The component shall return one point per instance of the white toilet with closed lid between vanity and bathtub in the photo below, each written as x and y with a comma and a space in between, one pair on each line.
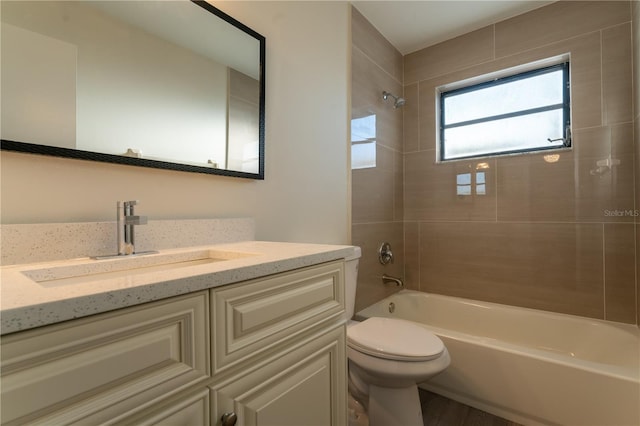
388, 358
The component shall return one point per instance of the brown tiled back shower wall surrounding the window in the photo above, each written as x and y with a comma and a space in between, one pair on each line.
553, 233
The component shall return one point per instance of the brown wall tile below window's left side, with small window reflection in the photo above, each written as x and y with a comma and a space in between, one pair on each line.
432, 191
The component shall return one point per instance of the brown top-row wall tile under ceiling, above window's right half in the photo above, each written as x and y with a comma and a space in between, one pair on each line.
558, 21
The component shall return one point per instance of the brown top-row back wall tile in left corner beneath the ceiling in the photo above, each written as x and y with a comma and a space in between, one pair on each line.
460, 52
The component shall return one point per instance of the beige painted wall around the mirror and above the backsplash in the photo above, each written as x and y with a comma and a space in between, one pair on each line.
305, 196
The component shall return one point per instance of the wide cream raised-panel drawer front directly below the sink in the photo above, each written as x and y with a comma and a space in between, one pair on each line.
72, 370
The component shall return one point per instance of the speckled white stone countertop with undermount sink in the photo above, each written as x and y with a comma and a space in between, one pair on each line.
28, 303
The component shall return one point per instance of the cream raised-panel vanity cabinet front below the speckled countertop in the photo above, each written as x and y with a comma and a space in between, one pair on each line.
269, 351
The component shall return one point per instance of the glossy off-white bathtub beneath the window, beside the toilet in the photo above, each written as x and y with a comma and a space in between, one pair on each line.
528, 366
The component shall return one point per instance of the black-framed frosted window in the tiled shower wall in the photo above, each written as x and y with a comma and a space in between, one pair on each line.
519, 113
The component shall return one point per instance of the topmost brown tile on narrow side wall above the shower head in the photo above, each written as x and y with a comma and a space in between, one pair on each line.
367, 39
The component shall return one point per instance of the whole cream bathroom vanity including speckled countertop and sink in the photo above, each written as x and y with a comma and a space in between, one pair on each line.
242, 333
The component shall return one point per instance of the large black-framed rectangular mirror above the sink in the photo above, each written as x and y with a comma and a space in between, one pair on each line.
174, 85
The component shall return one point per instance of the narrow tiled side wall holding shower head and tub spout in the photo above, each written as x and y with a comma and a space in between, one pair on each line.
377, 202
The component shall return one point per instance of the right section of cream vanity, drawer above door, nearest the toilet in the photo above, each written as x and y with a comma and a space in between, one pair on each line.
279, 350
